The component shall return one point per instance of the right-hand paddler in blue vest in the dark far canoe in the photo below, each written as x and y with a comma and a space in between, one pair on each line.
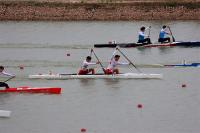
163, 32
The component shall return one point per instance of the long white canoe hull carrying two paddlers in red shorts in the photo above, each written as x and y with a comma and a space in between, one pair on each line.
97, 76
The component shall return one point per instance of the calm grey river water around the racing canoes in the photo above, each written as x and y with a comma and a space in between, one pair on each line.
99, 106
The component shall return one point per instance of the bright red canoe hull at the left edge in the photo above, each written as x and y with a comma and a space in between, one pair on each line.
50, 90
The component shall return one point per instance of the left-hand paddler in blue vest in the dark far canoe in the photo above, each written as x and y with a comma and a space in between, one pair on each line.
142, 38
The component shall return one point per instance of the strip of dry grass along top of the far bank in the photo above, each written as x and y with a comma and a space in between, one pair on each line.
58, 3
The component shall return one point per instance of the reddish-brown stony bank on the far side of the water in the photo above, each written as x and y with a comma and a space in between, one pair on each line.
59, 11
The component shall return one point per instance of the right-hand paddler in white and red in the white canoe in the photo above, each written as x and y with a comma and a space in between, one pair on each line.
112, 67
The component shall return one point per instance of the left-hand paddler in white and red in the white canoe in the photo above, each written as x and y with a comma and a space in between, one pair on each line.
86, 63
